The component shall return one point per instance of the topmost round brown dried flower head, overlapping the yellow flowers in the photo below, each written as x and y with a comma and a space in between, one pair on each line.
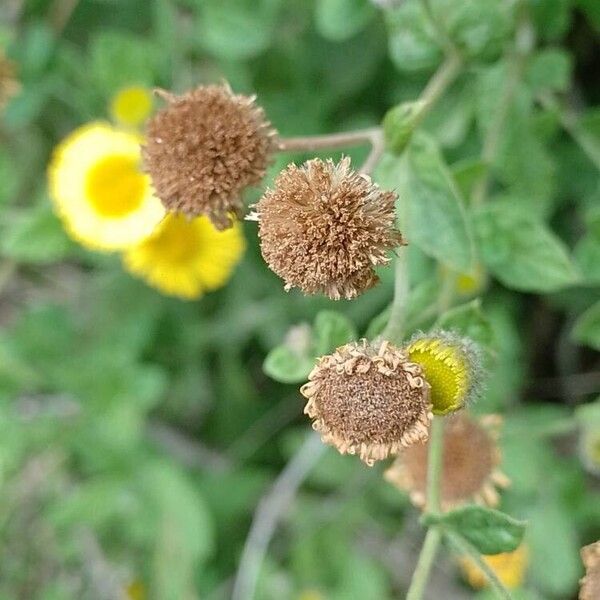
204, 148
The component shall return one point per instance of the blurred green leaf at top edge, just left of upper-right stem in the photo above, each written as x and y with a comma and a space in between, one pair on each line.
412, 40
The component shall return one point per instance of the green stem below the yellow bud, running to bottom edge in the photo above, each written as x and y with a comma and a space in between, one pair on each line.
434, 534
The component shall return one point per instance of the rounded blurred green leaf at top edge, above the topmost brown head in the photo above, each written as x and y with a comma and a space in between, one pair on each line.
237, 29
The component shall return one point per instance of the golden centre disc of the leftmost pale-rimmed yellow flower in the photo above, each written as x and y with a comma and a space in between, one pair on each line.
115, 186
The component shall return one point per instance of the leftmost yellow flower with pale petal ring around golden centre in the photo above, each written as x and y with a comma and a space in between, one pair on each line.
99, 191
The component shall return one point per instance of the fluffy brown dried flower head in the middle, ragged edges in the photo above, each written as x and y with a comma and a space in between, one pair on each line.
324, 227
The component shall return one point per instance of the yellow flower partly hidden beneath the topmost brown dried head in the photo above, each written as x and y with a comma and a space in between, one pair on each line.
186, 257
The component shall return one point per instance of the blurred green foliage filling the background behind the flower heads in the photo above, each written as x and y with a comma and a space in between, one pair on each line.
138, 432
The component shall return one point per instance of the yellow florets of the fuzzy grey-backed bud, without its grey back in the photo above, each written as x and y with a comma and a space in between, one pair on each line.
446, 371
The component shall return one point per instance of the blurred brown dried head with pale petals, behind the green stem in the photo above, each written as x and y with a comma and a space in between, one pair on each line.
470, 469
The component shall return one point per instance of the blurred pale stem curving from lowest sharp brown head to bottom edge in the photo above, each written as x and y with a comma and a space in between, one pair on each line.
270, 510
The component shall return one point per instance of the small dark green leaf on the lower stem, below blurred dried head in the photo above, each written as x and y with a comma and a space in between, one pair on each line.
489, 531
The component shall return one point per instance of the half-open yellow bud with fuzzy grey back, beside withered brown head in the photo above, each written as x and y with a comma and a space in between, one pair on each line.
452, 365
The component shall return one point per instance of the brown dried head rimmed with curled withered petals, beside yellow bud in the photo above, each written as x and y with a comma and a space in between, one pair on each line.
368, 399
